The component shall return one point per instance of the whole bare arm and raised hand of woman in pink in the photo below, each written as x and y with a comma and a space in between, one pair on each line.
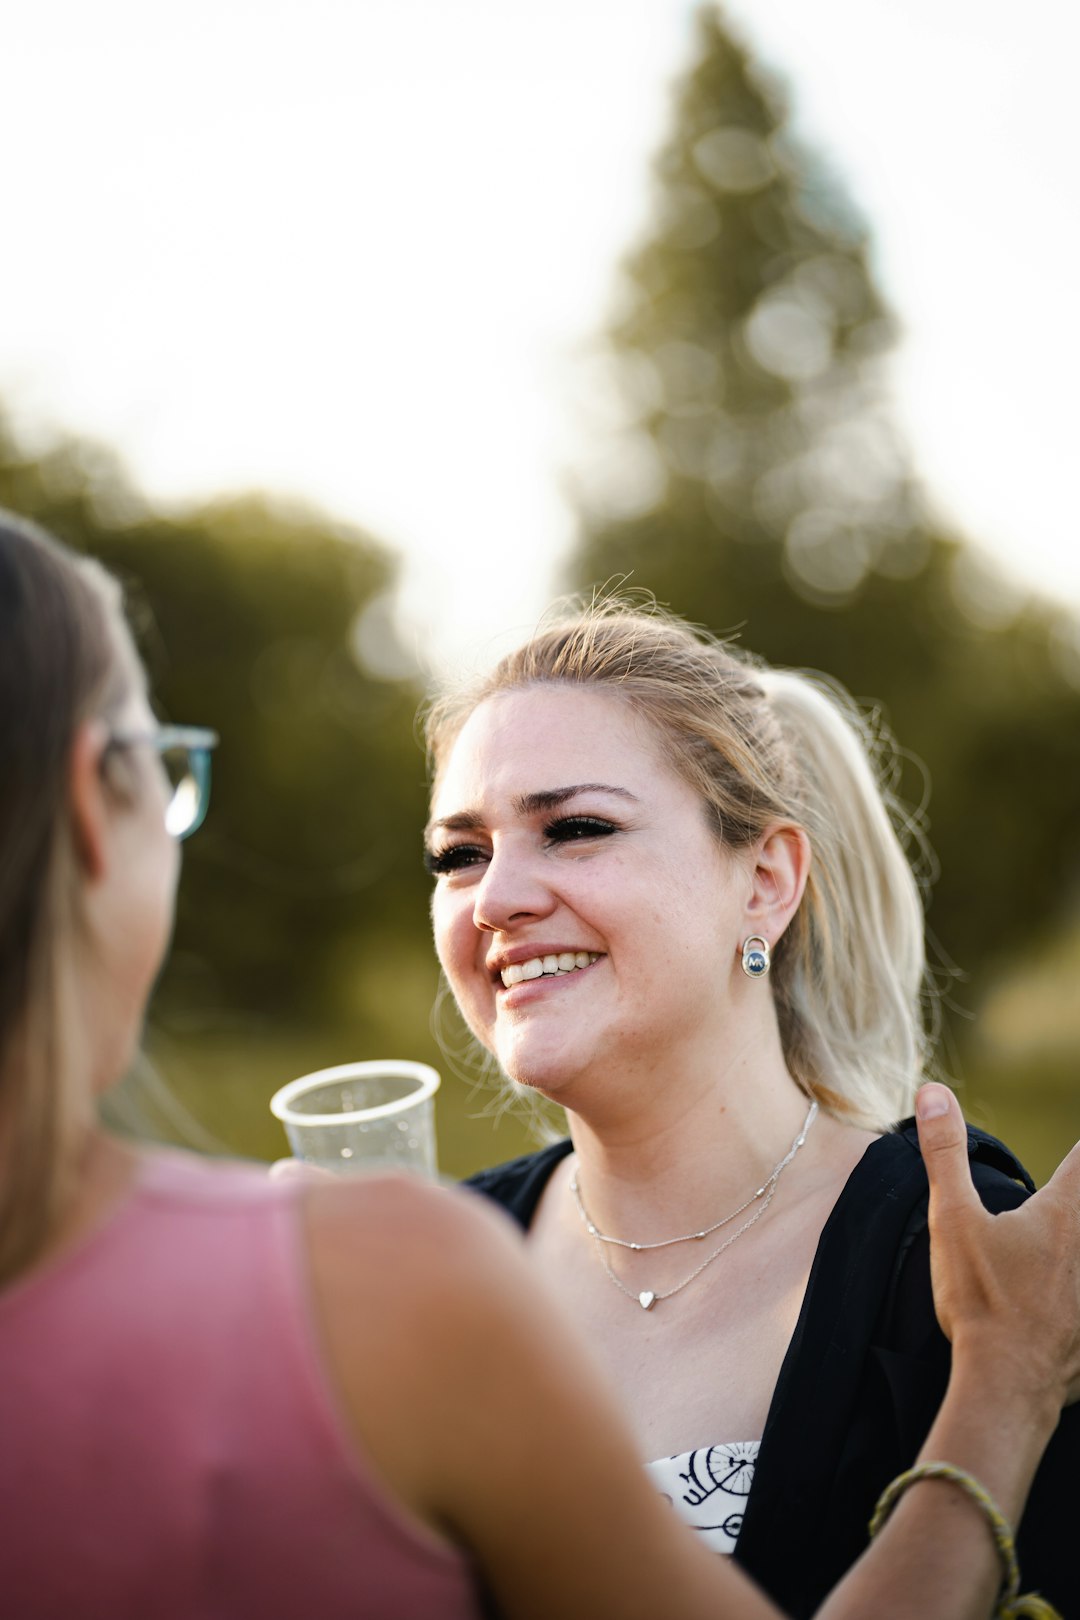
493, 1425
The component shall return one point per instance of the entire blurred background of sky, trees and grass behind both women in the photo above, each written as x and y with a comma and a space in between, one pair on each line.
349, 333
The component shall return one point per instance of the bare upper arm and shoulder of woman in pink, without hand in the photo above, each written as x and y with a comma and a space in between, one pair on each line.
491, 1422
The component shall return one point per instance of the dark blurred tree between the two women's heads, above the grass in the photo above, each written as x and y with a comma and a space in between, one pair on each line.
265, 621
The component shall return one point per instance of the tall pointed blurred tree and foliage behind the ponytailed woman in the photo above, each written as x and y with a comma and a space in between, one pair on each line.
754, 480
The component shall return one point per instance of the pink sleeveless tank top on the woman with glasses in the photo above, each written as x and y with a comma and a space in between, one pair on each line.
169, 1441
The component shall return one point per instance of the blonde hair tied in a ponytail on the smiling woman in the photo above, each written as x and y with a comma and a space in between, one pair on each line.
762, 746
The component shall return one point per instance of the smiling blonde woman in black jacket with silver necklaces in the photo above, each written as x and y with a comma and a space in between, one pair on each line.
671, 898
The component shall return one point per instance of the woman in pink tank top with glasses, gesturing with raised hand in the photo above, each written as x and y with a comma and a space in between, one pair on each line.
231, 1397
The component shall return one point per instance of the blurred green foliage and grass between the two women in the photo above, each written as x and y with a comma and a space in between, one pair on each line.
302, 926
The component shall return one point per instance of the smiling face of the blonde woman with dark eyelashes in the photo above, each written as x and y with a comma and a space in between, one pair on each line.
585, 916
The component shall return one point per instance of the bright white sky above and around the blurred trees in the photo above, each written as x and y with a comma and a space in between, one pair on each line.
355, 250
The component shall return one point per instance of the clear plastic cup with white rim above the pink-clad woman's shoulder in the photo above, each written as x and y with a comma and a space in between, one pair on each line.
364, 1117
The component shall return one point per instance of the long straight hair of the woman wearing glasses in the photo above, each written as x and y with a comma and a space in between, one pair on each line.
66, 657
